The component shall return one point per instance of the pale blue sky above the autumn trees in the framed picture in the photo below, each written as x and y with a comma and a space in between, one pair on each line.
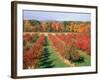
55, 16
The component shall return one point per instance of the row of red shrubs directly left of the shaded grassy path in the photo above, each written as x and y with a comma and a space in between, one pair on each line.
31, 56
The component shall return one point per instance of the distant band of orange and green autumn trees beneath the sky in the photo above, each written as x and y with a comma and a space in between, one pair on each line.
56, 26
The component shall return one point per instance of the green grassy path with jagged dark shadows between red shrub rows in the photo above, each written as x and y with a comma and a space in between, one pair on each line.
50, 58
